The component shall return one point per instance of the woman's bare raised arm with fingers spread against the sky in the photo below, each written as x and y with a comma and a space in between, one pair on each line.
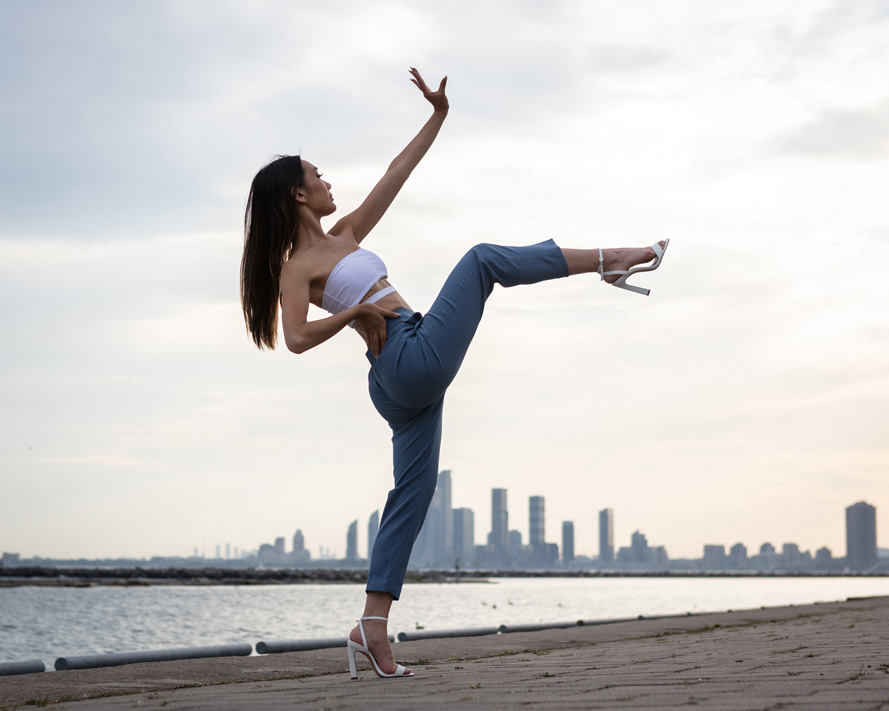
364, 219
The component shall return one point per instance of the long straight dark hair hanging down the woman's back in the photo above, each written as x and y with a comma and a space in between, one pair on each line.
270, 223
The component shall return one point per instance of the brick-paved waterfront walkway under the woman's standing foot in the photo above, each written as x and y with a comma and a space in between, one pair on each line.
816, 657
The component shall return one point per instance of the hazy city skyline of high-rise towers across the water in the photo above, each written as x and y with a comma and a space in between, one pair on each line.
448, 534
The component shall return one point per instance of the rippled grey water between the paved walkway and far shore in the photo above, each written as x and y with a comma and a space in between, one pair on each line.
47, 623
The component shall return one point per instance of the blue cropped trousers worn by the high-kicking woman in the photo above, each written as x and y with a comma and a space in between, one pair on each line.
408, 380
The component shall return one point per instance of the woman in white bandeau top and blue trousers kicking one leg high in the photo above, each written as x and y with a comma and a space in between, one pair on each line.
290, 259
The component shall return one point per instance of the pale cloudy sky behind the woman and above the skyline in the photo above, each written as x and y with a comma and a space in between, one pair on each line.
745, 400
